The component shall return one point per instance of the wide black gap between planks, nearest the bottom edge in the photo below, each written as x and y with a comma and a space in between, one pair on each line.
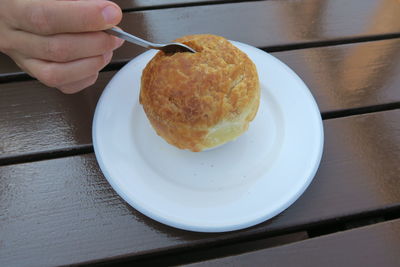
252, 243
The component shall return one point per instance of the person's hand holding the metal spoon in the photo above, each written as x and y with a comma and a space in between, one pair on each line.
60, 42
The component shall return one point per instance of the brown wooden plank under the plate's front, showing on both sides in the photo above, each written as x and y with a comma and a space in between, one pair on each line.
65, 208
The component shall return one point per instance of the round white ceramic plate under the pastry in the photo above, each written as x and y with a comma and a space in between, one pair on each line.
235, 186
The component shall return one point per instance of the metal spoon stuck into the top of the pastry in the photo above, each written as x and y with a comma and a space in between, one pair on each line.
167, 48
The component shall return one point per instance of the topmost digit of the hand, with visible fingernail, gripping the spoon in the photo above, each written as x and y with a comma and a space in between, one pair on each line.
47, 17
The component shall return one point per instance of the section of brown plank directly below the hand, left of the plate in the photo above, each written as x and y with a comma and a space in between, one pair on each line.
36, 118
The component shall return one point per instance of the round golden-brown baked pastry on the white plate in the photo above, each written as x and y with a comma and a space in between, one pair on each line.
200, 100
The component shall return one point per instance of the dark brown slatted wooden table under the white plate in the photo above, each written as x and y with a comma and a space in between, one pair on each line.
56, 207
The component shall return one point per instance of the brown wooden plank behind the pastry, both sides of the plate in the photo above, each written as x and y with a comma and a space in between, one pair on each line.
38, 119
